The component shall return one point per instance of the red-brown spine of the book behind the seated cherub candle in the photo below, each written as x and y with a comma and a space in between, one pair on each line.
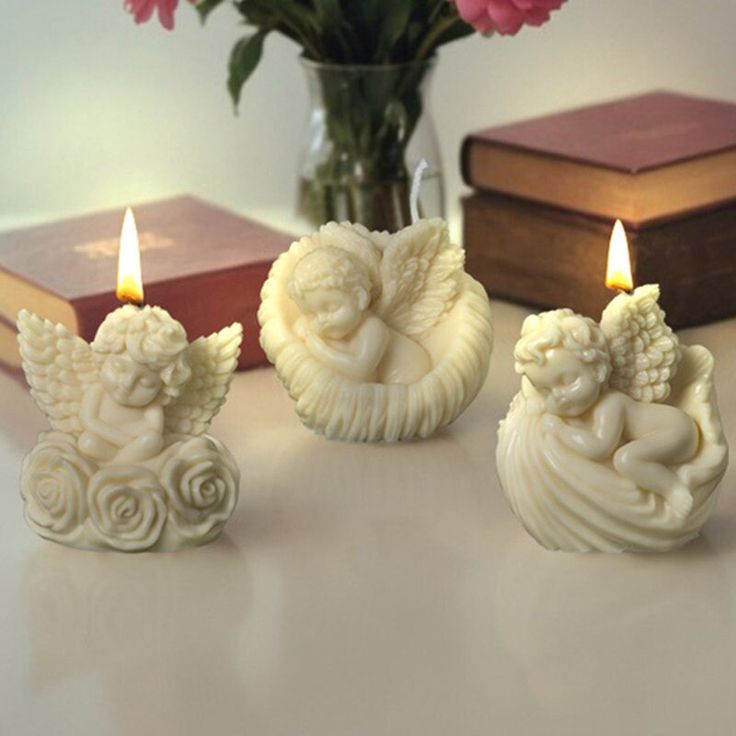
202, 303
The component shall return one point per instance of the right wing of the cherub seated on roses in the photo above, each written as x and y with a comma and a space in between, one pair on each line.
213, 360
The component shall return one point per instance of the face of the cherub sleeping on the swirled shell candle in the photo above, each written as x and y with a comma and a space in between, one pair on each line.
568, 386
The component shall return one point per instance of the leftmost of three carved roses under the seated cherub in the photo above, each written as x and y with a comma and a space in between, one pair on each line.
53, 484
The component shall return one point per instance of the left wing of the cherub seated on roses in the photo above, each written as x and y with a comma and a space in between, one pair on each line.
58, 366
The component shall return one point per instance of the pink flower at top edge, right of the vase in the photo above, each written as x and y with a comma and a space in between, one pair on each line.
505, 16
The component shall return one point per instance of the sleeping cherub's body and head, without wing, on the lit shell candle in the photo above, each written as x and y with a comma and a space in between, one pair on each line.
566, 358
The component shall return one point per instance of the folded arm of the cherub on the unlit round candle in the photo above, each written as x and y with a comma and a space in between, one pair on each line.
370, 341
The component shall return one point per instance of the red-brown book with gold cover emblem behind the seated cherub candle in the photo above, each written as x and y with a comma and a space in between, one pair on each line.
203, 264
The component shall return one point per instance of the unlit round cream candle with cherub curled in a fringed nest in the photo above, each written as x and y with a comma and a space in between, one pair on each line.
376, 336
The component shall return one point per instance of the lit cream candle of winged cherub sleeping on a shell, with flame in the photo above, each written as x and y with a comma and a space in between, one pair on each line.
614, 441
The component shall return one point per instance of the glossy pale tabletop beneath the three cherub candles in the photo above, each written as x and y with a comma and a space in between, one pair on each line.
364, 590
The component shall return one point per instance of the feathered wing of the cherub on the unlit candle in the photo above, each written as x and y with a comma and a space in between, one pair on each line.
421, 273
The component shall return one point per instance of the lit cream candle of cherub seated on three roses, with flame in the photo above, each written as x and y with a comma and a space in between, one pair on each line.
127, 464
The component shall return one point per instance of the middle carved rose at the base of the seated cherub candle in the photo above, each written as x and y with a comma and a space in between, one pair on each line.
127, 506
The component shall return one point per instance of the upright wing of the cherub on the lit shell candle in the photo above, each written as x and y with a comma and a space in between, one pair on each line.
644, 351
